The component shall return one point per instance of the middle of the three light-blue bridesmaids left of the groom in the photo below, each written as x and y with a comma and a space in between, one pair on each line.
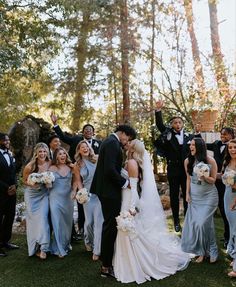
61, 202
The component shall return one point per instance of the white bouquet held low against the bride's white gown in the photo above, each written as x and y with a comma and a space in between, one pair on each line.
125, 222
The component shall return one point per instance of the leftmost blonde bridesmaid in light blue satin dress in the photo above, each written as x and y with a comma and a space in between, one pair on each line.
37, 205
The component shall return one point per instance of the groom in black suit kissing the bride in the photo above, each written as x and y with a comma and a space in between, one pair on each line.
107, 184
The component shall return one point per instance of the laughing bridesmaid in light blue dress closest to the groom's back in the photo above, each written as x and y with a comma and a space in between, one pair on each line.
86, 164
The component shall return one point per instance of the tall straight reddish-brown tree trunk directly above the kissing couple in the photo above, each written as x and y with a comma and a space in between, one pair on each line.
124, 38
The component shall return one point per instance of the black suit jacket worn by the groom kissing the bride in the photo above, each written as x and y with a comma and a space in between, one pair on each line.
107, 181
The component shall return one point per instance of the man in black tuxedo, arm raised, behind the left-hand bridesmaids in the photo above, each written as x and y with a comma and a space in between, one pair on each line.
72, 141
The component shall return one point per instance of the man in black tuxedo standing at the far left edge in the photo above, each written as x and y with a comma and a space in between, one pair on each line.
7, 194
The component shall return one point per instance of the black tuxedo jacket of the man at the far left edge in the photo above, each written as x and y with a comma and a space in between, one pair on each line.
7, 175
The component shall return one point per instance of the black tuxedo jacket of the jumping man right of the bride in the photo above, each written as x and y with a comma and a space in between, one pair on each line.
173, 151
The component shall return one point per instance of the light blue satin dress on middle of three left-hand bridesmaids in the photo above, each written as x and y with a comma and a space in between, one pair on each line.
61, 209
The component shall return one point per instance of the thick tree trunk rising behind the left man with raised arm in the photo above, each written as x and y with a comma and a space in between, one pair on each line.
80, 85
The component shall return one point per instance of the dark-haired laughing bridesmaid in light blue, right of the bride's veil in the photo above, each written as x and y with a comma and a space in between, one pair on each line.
198, 236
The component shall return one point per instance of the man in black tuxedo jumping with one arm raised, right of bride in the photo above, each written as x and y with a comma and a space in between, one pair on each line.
175, 147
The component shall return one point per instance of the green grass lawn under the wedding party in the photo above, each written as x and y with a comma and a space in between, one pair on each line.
77, 269
